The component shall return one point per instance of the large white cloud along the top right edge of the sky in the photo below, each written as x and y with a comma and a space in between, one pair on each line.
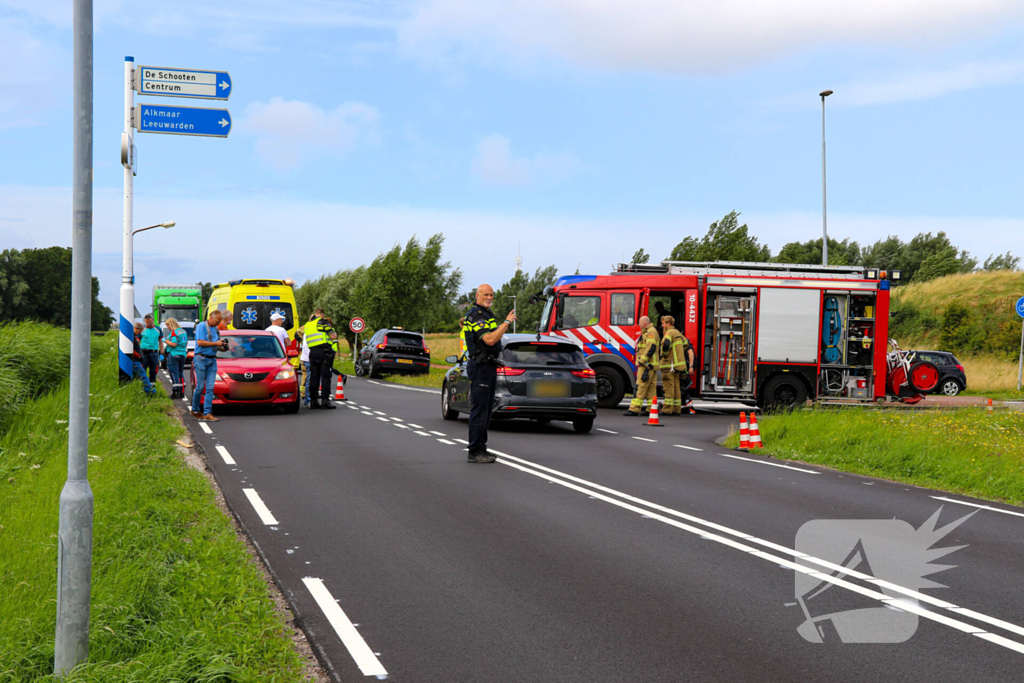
687, 36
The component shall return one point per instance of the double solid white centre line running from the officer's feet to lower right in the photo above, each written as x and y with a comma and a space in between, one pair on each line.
535, 469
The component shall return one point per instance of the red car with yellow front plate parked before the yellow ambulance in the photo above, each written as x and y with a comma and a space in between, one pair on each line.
255, 371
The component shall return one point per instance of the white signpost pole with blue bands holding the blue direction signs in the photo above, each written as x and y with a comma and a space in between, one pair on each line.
127, 319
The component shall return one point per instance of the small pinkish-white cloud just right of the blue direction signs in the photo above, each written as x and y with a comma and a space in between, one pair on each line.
290, 132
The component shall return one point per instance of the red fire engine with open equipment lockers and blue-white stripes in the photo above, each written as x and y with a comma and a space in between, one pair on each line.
767, 333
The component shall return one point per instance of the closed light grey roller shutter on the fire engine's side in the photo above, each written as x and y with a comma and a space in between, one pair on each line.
788, 325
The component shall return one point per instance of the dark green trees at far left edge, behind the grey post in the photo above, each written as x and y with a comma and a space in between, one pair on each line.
35, 285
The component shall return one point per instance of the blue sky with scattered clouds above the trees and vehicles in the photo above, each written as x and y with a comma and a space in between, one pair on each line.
585, 131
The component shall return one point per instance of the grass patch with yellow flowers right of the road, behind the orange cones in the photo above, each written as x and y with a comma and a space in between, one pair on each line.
969, 451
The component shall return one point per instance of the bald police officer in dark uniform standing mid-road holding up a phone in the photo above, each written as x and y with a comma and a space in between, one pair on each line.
484, 345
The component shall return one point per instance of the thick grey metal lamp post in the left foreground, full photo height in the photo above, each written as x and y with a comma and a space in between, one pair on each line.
75, 526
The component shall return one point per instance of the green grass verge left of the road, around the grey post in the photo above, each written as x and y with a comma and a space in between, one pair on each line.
176, 595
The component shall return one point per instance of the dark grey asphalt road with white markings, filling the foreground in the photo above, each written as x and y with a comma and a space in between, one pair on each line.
628, 554
